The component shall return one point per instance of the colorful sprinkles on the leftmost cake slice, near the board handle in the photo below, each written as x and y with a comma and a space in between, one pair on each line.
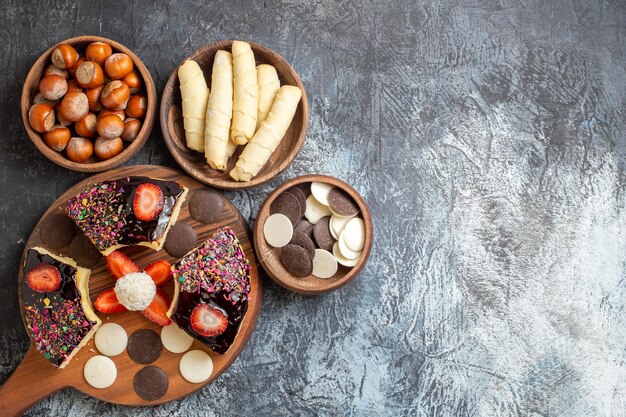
58, 328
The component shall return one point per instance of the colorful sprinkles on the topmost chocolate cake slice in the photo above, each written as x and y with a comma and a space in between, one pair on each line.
100, 212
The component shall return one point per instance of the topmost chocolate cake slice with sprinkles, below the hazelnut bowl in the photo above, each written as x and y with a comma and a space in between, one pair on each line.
127, 211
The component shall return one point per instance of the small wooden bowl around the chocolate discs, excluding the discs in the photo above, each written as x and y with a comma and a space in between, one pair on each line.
269, 256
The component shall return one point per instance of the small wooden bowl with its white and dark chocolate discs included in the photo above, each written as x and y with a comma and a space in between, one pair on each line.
313, 234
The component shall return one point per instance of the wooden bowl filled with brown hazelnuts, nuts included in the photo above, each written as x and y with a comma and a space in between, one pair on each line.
89, 104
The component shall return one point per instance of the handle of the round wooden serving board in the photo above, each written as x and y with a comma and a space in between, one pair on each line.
33, 380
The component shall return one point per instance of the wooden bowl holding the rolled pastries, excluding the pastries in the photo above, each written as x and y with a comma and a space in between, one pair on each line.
194, 162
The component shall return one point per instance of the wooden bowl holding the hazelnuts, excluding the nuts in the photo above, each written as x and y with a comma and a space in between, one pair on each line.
31, 88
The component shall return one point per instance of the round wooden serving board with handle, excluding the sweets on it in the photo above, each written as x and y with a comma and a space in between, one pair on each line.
35, 378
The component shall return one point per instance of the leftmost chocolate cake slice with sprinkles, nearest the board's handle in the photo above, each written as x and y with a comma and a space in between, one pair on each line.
57, 309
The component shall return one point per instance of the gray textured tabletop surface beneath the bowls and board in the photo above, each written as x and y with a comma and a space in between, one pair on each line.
488, 138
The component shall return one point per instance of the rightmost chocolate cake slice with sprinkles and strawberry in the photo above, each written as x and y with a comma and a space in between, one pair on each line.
212, 290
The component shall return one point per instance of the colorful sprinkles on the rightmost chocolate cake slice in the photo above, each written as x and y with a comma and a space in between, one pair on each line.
218, 265
